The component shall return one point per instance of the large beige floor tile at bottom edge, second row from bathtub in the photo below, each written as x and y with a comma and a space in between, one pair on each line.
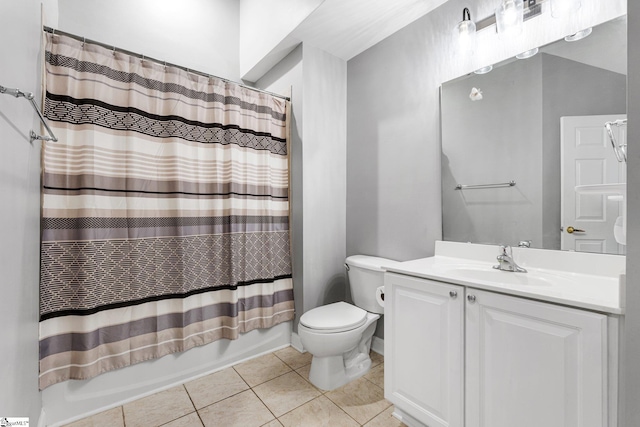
241, 410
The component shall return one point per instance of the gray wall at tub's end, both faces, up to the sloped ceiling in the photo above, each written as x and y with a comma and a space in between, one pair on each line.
318, 172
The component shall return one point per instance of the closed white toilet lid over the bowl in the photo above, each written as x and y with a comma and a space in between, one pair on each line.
336, 317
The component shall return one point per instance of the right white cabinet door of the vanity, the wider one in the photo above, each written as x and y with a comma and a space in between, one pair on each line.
531, 364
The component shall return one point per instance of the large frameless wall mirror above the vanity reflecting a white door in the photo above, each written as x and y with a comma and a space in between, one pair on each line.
519, 140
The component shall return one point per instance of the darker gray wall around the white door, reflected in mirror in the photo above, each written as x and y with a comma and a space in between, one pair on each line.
593, 91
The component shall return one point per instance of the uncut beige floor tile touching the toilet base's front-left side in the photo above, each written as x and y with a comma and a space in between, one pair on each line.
285, 393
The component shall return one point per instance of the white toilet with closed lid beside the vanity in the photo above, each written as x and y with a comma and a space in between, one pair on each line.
339, 335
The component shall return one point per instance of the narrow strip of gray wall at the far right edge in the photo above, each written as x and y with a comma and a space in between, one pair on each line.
630, 373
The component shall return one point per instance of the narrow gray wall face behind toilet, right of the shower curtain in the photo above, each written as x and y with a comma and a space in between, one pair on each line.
325, 164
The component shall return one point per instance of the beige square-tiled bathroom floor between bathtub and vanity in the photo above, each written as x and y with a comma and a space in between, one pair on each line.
271, 391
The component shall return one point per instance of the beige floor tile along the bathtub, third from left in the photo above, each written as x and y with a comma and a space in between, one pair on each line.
215, 387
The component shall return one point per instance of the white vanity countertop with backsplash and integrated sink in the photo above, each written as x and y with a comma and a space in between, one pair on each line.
553, 276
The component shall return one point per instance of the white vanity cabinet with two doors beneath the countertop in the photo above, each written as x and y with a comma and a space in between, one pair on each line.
456, 356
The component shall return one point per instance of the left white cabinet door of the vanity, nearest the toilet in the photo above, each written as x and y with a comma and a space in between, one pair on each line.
424, 349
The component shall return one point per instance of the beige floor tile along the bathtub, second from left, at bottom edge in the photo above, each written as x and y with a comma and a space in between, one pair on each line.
158, 409
